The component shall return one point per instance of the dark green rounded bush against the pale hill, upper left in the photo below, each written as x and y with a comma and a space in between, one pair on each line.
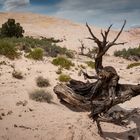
11, 28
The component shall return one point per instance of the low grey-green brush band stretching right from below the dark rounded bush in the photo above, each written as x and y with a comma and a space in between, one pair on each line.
48, 45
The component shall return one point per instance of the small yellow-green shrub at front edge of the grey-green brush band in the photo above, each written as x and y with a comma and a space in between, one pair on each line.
36, 54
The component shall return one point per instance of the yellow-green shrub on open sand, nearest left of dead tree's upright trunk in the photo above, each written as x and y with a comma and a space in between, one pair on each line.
62, 62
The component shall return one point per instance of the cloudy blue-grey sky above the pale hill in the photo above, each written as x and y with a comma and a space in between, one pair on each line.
100, 13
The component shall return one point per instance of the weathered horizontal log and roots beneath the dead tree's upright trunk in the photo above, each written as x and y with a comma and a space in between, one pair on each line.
99, 109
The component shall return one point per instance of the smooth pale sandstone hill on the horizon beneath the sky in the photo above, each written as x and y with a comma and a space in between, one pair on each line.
42, 25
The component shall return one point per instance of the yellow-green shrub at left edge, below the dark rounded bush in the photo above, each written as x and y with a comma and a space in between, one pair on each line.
8, 49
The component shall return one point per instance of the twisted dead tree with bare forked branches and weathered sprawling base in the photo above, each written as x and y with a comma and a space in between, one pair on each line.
95, 97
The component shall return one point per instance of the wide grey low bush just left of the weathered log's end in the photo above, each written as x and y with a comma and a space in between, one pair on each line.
40, 95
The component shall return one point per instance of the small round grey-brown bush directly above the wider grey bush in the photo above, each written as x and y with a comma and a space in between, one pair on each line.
42, 82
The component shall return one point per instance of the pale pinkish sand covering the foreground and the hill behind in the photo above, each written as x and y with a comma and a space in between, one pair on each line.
32, 120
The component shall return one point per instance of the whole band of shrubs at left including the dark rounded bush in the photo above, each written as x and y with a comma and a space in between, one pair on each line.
12, 40
